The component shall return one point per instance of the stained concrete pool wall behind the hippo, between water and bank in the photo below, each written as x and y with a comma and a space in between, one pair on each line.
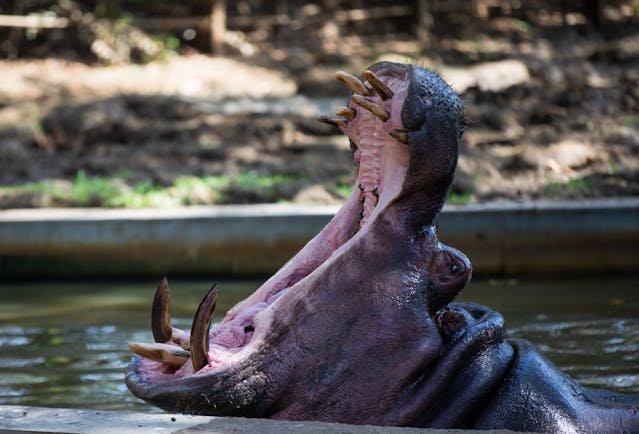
500, 239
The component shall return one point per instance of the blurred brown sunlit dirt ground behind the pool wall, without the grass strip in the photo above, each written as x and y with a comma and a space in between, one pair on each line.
552, 113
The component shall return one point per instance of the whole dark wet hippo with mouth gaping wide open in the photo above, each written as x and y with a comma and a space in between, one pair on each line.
360, 326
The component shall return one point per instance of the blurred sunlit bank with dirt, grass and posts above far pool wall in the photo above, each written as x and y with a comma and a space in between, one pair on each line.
130, 103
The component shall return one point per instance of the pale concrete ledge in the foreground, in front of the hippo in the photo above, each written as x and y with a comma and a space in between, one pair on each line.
61, 420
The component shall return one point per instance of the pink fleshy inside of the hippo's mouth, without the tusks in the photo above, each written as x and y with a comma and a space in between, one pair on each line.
382, 163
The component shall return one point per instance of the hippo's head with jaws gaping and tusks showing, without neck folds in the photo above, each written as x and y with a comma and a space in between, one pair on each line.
349, 326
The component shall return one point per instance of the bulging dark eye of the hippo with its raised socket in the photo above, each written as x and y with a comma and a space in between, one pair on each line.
449, 273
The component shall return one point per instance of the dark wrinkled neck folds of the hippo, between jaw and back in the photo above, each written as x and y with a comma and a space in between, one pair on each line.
472, 364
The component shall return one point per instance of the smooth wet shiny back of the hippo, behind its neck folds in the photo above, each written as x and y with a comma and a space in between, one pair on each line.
560, 403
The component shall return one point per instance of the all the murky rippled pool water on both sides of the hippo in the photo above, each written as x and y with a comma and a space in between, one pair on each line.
64, 345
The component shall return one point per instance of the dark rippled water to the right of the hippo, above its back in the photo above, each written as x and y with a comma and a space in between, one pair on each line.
589, 328
